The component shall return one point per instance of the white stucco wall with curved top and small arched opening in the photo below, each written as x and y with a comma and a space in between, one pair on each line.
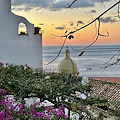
14, 48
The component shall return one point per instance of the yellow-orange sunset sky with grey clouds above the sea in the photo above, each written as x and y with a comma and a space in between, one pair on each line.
55, 19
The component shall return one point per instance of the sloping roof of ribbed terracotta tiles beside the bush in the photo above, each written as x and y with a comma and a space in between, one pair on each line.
109, 90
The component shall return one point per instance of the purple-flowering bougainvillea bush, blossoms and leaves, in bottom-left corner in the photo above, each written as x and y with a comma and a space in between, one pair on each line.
12, 110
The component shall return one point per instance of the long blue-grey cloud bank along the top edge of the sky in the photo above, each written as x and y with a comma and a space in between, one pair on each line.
53, 5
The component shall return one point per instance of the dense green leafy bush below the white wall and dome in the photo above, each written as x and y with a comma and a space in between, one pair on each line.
23, 82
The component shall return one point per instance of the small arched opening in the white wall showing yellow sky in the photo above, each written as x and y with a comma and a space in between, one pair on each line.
22, 29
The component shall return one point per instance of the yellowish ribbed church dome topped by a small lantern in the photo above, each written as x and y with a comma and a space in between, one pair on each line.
67, 65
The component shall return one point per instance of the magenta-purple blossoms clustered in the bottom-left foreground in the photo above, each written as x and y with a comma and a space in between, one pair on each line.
11, 106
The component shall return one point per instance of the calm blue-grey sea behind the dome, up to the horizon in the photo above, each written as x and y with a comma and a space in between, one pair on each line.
90, 64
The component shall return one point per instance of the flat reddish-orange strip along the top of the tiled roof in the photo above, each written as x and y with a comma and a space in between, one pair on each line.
108, 79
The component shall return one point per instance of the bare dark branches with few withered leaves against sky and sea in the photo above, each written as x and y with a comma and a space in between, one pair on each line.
70, 35
